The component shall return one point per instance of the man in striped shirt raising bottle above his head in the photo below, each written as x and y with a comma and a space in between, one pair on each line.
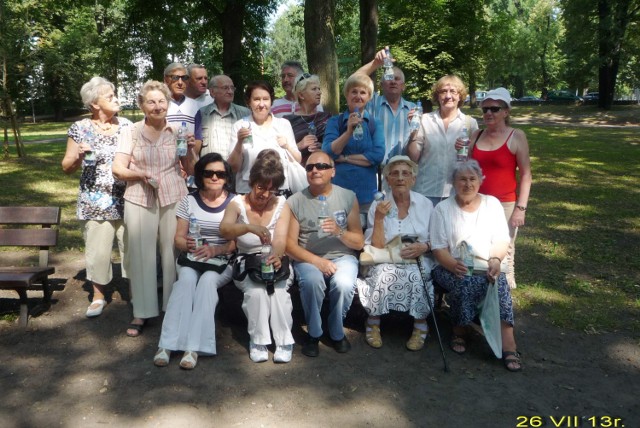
390, 107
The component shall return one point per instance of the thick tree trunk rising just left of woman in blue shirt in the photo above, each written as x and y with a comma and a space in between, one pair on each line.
319, 22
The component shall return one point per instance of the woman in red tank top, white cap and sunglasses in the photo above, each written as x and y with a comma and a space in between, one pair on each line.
501, 151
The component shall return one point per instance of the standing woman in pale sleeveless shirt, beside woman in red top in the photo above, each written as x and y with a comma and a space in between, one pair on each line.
433, 146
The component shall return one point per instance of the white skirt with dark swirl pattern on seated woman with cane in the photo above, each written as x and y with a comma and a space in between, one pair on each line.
394, 287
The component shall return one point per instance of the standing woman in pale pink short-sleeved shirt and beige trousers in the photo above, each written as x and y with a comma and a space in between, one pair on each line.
146, 159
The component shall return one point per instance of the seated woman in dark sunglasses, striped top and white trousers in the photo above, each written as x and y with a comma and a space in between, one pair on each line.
189, 323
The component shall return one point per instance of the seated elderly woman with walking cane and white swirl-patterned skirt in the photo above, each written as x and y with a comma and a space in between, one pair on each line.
398, 287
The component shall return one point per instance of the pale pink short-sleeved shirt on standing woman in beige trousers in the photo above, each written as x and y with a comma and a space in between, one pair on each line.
159, 159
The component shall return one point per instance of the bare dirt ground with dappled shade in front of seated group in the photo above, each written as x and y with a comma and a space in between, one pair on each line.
67, 370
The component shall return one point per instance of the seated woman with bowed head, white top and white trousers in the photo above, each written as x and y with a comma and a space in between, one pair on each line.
253, 220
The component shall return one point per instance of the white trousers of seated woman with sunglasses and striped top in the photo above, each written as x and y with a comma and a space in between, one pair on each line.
189, 323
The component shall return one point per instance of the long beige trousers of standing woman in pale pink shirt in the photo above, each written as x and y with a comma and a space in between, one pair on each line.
145, 228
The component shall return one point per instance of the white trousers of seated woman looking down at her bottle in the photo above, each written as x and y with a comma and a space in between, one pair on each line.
263, 309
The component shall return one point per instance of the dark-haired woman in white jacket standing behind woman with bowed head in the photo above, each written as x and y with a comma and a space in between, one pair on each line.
260, 131
